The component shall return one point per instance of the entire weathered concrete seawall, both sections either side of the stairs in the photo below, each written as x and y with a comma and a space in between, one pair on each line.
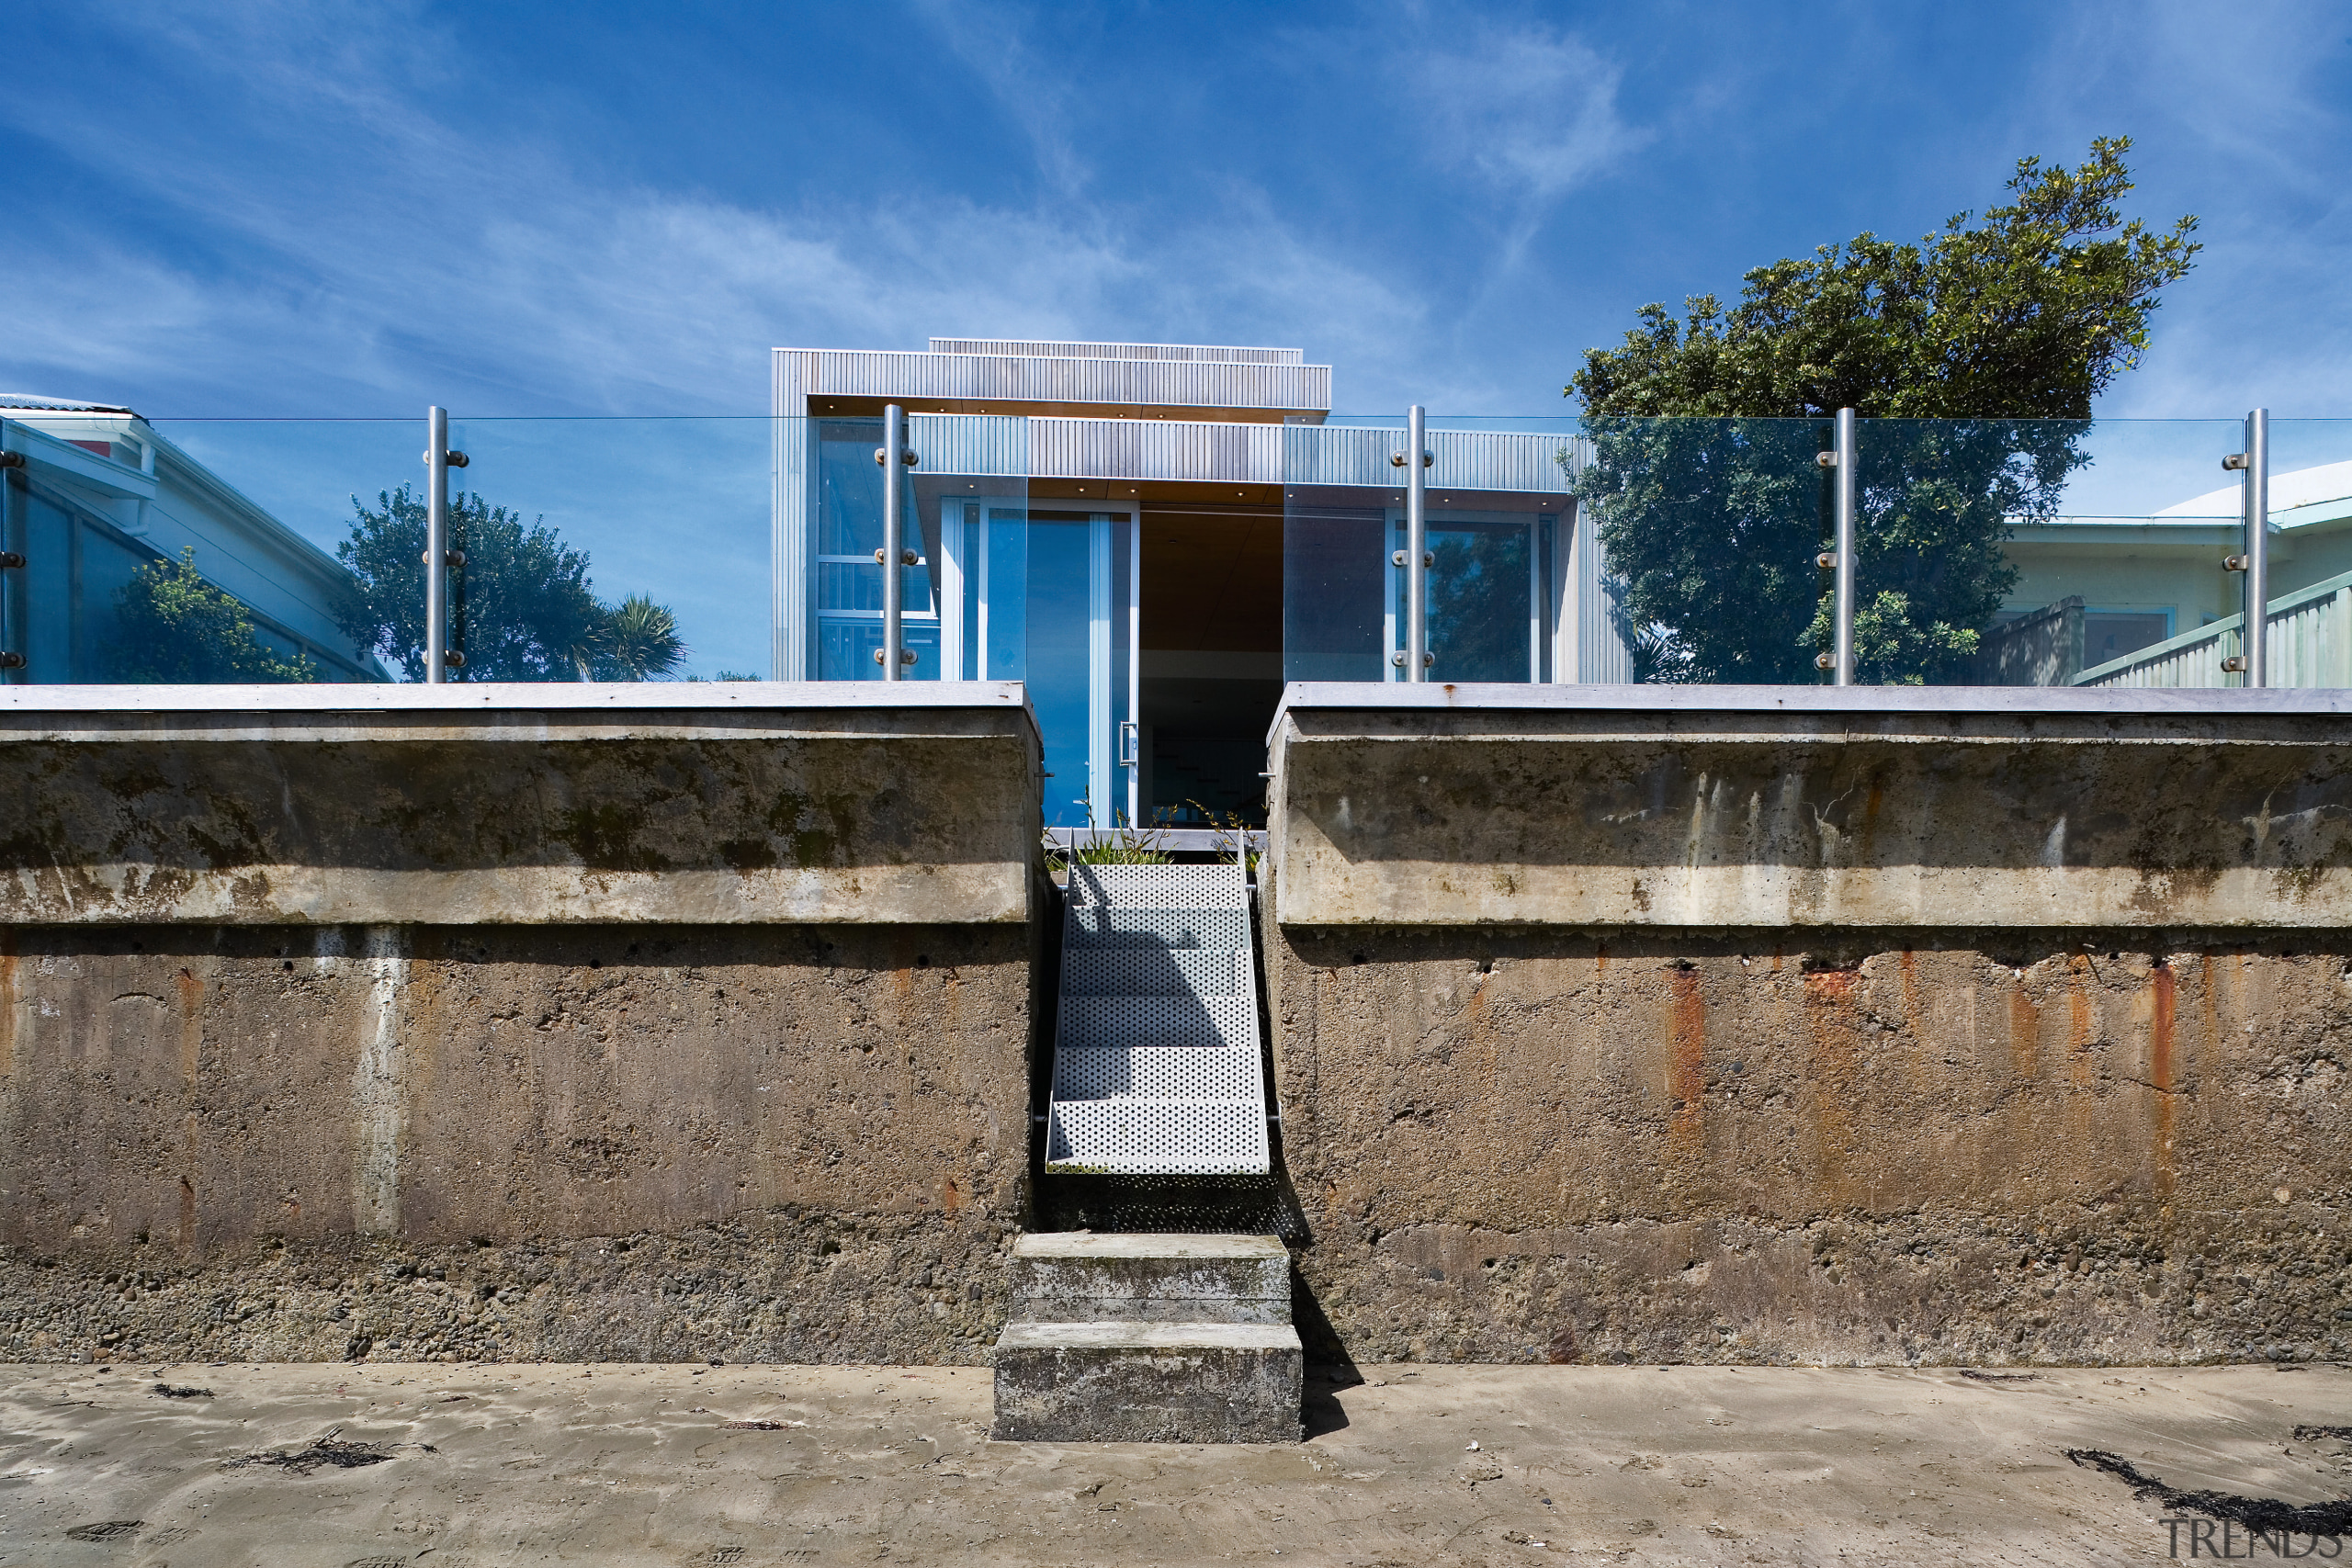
1608, 1024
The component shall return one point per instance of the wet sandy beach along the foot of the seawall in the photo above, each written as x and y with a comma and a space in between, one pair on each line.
747, 1466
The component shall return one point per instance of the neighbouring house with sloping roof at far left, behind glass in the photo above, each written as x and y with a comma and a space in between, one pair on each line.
98, 495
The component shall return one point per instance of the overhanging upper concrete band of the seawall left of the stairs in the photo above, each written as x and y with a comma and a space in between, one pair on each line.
490, 808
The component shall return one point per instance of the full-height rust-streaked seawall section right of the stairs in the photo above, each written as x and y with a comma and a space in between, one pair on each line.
1927, 1139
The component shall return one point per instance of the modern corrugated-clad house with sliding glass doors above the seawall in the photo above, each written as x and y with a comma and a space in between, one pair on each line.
1156, 540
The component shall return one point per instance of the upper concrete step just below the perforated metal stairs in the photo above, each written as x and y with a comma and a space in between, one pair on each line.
1085, 1278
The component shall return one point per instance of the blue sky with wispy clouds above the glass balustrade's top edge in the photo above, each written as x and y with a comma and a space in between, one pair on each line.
314, 210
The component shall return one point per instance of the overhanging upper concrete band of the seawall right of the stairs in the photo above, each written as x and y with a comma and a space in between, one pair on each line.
1810, 808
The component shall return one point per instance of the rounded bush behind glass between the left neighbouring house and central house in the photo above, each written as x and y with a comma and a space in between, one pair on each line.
521, 605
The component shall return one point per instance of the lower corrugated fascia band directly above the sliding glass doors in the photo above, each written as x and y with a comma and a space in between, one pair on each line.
1234, 455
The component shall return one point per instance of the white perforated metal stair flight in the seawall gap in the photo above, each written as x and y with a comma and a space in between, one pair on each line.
1156, 1047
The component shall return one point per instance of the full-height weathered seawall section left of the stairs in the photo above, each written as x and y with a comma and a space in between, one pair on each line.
566, 1130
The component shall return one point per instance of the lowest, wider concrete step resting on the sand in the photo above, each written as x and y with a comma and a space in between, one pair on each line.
1149, 1383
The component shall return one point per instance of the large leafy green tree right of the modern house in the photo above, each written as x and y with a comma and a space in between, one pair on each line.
1977, 354
